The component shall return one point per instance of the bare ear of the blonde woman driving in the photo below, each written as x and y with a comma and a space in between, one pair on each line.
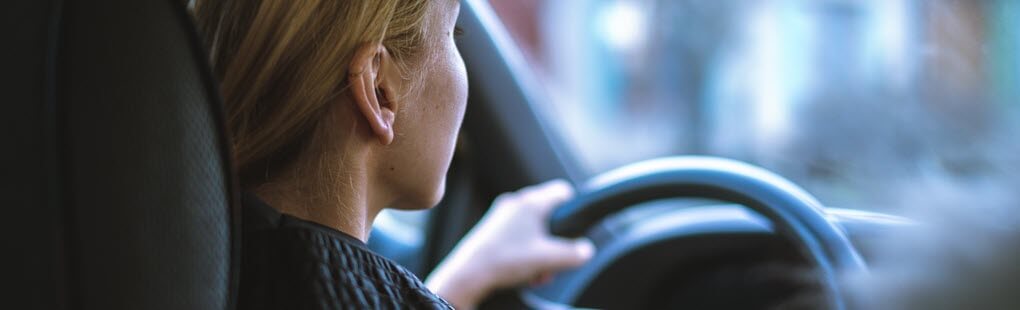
373, 81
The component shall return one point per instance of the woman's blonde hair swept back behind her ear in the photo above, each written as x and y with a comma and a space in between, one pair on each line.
282, 63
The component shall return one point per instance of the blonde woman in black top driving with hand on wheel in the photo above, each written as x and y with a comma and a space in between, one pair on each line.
339, 110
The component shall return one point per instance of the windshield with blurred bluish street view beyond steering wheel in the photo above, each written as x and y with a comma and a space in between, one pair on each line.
868, 105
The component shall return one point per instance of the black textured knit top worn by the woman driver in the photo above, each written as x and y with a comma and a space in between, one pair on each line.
291, 264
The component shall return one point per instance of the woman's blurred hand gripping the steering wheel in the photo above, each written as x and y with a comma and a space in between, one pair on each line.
511, 246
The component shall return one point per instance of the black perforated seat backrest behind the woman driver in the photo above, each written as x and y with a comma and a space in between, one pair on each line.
119, 193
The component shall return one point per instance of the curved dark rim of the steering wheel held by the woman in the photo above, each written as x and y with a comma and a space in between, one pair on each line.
795, 214
